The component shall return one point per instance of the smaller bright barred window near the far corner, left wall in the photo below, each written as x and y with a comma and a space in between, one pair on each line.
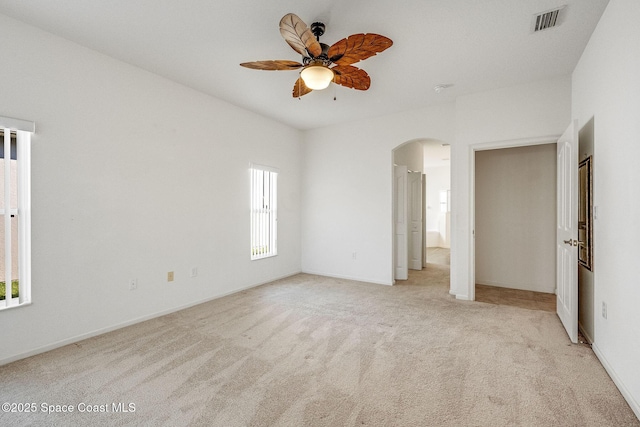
264, 211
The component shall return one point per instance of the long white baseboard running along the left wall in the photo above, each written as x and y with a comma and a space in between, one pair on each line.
101, 331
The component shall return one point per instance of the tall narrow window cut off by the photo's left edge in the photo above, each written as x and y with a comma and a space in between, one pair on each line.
15, 212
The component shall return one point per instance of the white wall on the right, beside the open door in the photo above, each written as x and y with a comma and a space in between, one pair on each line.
606, 88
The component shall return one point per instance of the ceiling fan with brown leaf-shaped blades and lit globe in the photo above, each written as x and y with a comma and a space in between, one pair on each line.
323, 64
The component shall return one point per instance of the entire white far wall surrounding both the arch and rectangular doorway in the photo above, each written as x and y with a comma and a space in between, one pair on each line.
346, 204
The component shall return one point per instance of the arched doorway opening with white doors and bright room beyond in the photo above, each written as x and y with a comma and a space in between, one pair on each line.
421, 206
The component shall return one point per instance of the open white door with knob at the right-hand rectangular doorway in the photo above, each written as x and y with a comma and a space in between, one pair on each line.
567, 231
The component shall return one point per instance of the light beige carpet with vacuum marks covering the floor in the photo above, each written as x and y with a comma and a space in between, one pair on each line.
316, 351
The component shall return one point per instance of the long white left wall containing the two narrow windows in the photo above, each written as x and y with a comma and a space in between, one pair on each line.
133, 176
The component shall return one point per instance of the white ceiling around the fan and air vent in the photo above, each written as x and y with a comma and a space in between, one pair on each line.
475, 45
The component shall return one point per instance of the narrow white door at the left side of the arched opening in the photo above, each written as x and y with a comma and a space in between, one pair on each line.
400, 217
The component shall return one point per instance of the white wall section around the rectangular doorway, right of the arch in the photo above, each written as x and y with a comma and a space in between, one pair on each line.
531, 113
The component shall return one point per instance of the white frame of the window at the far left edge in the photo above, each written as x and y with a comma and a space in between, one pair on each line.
22, 130
